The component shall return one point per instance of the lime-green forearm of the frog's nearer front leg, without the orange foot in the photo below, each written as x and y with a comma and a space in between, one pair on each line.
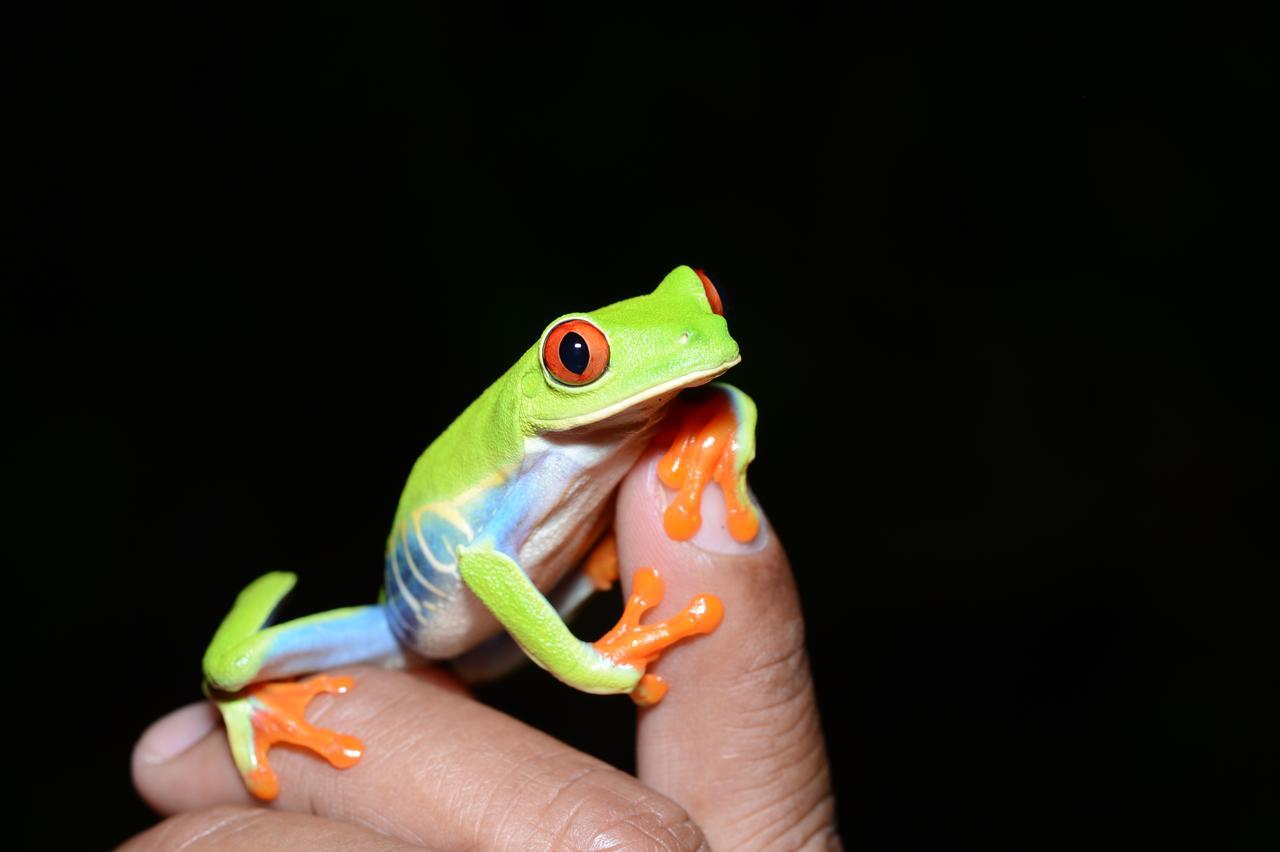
537, 627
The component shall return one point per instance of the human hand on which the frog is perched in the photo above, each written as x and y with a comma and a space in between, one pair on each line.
733, 758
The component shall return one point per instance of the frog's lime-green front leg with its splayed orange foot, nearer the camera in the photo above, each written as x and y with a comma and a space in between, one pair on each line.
618, 662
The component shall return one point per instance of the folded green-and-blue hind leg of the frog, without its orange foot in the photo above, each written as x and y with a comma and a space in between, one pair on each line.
245, 652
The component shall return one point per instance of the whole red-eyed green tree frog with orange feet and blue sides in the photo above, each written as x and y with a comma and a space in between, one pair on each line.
505, 526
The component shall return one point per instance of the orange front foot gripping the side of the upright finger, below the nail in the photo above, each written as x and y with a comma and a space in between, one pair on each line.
638, 645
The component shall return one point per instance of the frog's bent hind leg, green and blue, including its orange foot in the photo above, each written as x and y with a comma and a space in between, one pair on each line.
246, 654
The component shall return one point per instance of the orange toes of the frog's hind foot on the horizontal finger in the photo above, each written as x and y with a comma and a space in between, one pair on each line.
277, 716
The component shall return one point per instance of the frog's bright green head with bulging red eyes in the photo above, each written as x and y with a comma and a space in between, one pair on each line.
632, 356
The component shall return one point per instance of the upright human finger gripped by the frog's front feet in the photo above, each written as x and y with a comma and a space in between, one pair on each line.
738, 739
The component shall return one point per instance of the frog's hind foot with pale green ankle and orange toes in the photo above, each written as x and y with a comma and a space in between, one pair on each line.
266, 714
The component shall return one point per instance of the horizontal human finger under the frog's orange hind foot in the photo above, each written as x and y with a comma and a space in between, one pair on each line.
438, 768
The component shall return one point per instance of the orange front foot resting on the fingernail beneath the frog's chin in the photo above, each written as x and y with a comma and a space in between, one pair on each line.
706, 448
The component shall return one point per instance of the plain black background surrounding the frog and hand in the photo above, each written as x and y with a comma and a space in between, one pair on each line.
988, 268
